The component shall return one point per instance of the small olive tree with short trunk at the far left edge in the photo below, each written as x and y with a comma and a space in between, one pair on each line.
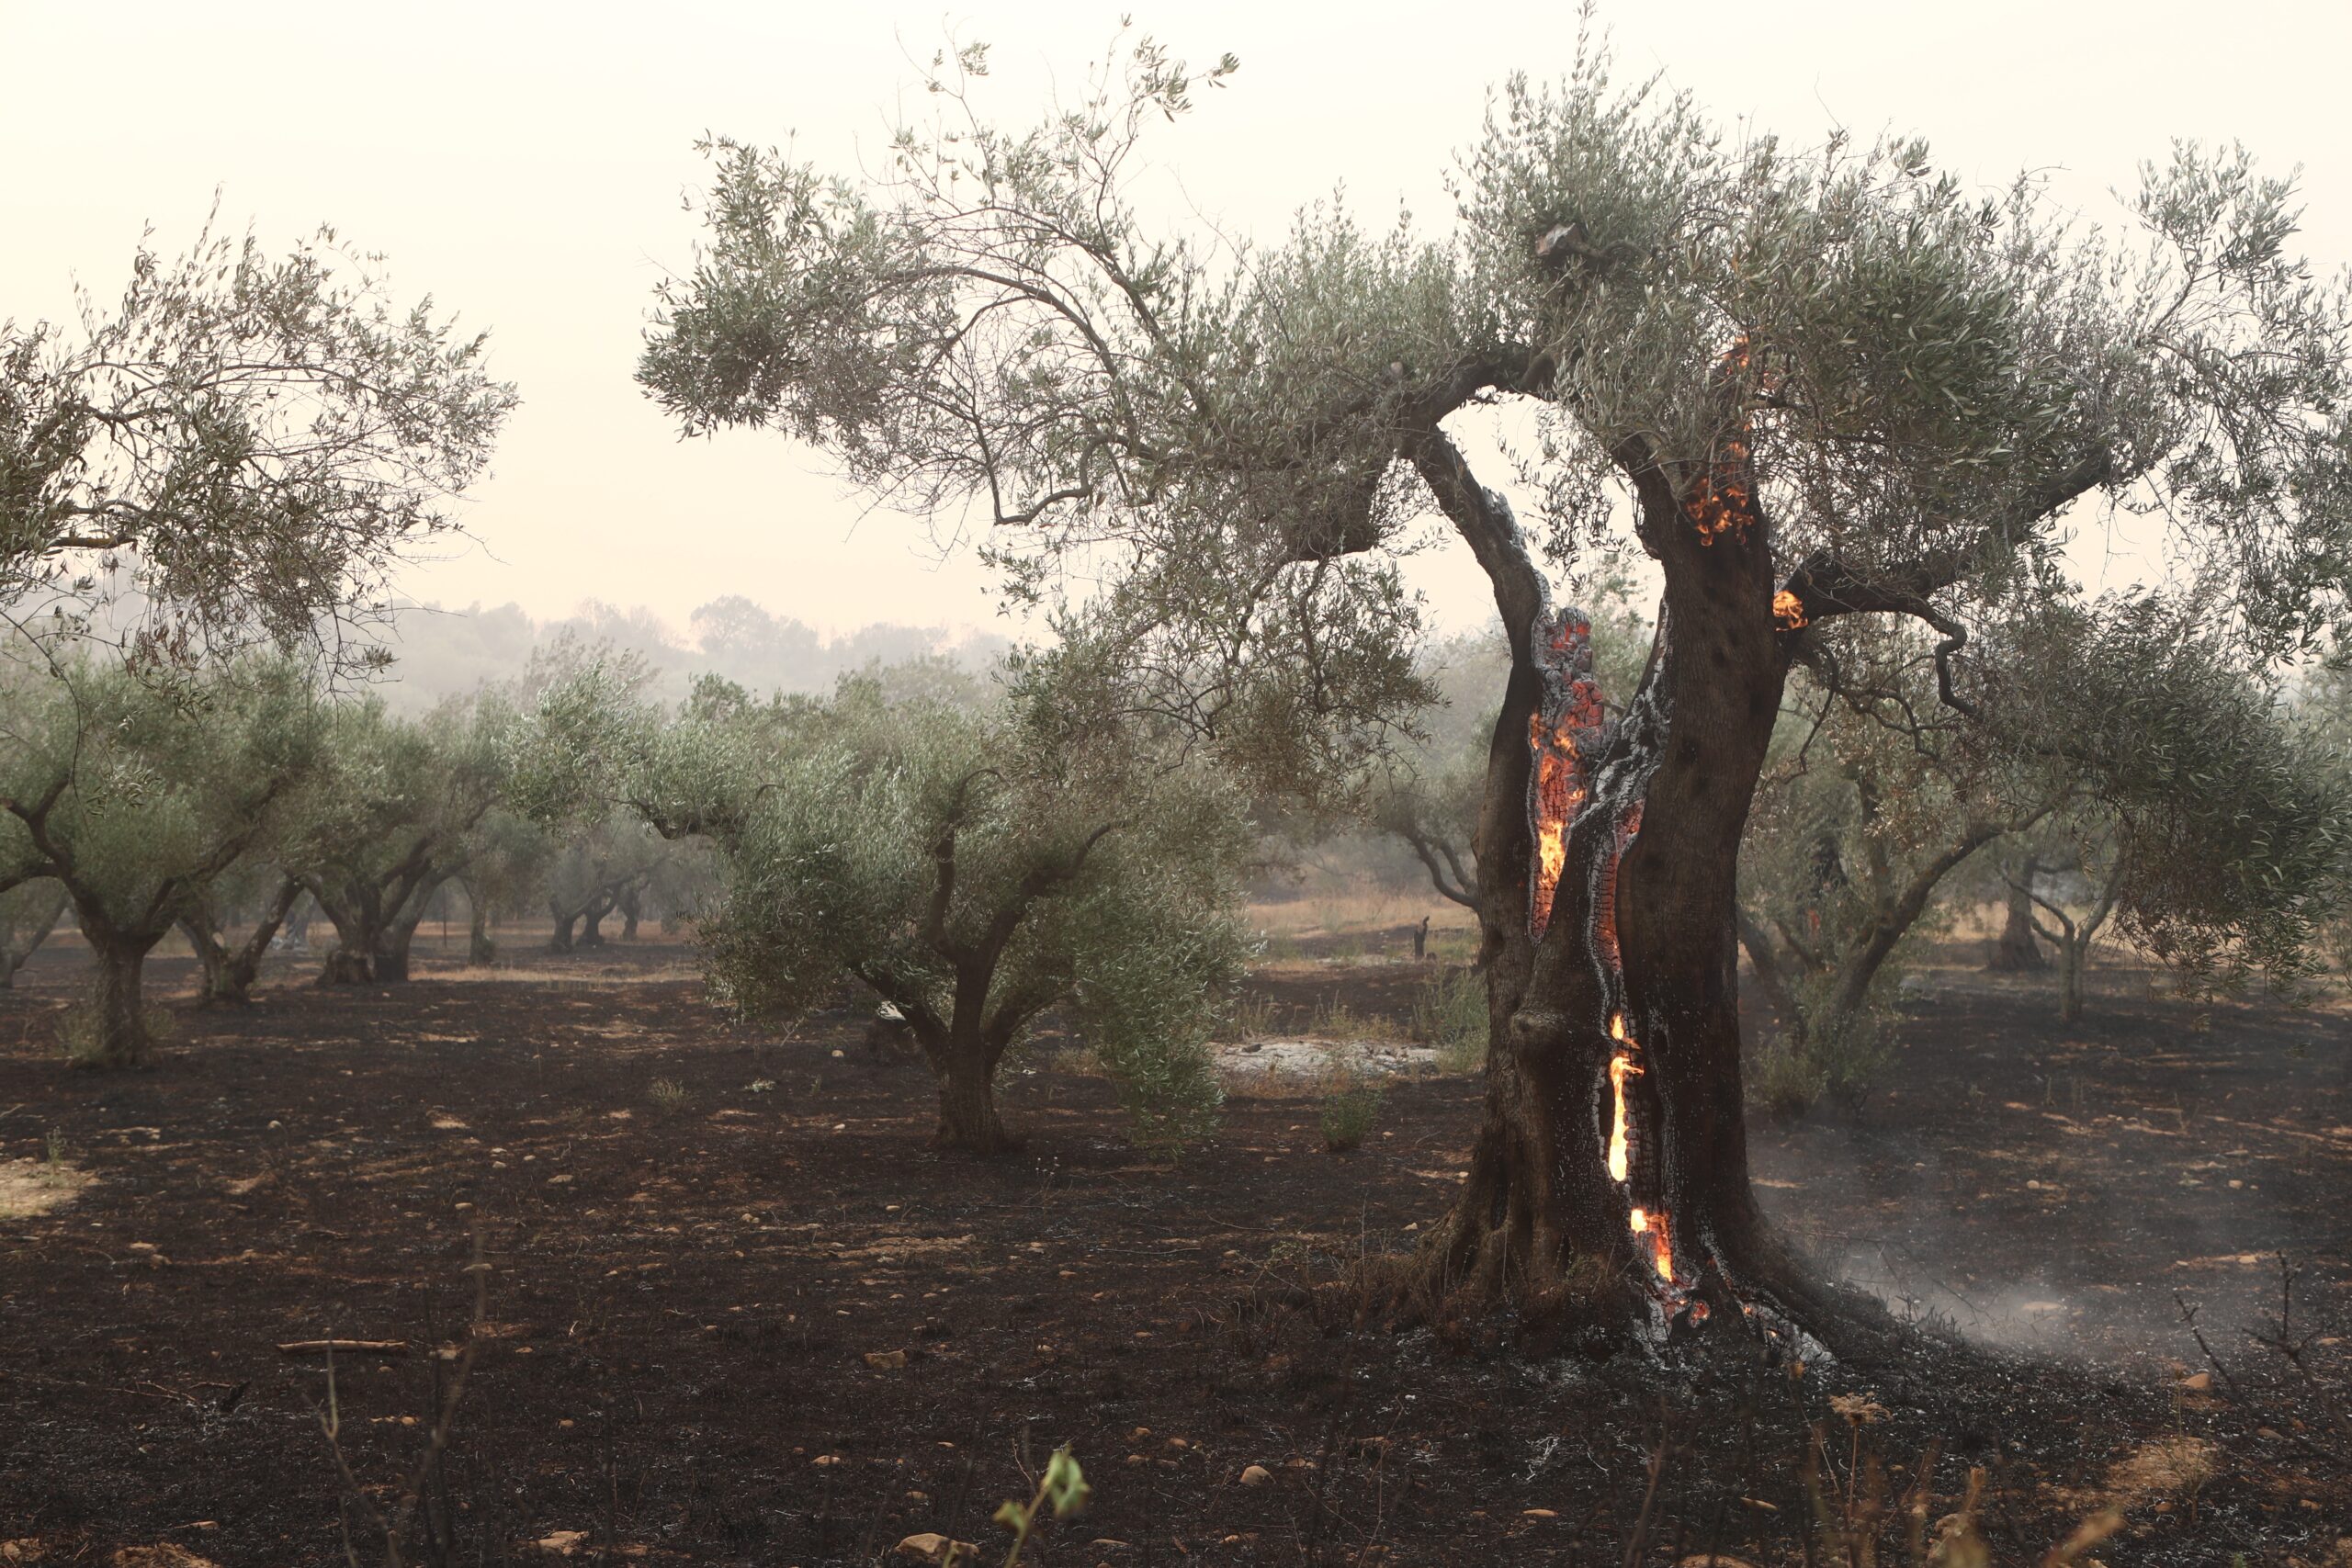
135, 796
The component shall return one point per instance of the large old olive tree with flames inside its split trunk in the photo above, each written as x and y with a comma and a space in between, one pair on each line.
1812, 387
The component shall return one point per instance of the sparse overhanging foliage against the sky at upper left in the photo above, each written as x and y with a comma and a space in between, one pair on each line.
255, 441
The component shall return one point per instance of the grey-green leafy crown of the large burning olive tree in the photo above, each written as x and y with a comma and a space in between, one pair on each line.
1937, 389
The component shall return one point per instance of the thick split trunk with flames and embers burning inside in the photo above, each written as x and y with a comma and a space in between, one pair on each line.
1610, 1177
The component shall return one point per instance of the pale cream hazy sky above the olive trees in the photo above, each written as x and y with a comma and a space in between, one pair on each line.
526, 168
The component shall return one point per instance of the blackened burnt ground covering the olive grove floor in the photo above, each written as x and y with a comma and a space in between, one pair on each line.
737, 1313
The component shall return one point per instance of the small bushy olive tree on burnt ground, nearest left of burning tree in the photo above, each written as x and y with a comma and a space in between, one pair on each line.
968, 869
